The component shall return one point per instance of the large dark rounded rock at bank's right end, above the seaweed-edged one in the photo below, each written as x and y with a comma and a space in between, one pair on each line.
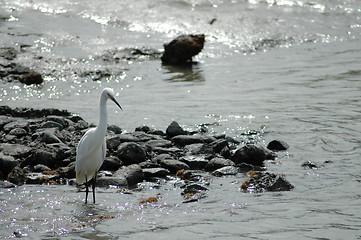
252, 154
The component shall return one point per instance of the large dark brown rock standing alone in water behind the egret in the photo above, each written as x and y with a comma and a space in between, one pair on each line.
181, 50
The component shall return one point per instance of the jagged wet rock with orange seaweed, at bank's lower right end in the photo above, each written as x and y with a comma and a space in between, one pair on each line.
261, 181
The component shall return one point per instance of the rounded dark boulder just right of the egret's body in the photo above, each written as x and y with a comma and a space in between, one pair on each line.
131, 153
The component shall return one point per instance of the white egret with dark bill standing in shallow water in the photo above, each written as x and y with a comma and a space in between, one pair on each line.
91, 149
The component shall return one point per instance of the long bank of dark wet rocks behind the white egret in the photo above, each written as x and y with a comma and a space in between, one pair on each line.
39, 147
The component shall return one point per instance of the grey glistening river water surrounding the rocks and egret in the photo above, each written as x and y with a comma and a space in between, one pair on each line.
290, 68
